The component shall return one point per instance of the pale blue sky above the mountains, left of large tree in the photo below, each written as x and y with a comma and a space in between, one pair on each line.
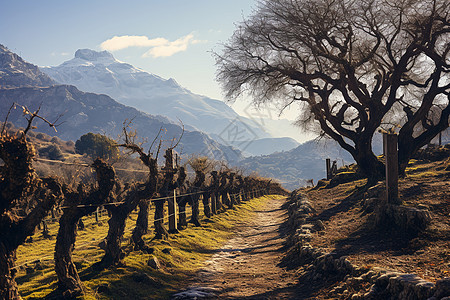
48, 32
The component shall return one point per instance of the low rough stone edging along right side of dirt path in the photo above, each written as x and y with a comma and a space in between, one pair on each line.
355, 282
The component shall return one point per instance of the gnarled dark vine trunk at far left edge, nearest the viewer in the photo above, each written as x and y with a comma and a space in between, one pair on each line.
25, 199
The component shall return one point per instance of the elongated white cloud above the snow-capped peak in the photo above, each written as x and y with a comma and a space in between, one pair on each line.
159, 47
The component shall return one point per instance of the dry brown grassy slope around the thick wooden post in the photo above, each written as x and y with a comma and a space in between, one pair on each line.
348, 232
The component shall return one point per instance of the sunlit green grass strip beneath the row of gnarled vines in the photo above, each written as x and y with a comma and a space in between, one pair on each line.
189, 250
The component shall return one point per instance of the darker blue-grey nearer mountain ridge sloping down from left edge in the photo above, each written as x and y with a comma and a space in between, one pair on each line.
81, 112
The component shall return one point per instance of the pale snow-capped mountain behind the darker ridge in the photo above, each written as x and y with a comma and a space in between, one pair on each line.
100, 72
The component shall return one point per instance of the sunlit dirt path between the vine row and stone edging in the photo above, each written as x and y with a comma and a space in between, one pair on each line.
248, 266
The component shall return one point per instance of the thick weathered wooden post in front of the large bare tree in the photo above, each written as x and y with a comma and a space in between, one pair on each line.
391, 158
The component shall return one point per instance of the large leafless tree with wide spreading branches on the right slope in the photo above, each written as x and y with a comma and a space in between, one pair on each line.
351, 65
